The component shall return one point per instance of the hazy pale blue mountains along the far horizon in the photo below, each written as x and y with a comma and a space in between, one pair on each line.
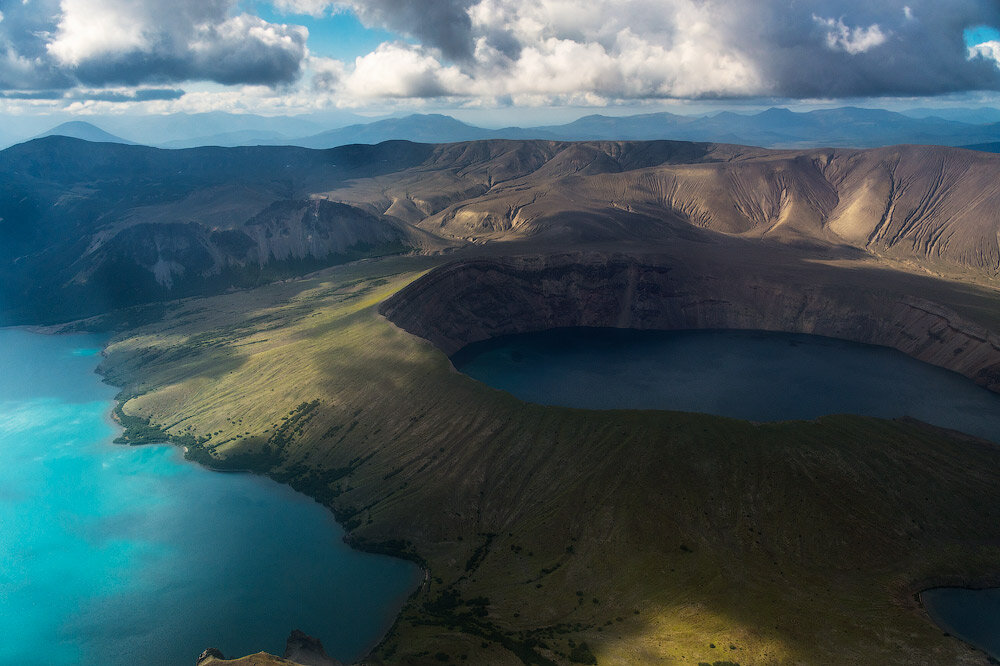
773, 128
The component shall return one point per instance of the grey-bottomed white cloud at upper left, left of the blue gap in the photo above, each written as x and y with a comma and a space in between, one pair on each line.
50, 44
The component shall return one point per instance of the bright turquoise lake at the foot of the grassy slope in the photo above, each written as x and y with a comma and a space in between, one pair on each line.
131, 555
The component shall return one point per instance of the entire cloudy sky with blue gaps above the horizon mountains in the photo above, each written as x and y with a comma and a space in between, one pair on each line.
493, 58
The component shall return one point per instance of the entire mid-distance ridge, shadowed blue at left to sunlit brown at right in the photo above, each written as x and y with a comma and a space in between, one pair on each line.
91, 227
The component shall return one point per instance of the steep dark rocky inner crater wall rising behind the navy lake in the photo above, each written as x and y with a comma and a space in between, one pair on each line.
474, 300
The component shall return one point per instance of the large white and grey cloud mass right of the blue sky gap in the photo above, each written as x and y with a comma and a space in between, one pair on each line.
641, 49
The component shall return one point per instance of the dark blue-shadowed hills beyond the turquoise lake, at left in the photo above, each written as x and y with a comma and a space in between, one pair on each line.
92, 227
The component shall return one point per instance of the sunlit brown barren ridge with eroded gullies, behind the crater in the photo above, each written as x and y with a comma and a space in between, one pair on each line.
930, 206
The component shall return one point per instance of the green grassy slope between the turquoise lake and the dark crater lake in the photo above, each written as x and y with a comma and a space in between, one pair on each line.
555, 535
